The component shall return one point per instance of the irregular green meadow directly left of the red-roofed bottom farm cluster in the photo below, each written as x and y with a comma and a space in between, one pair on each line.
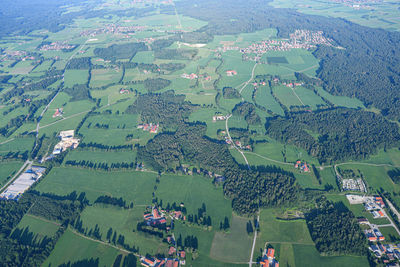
123, 221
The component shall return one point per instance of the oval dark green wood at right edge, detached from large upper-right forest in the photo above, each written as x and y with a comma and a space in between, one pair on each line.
335, 134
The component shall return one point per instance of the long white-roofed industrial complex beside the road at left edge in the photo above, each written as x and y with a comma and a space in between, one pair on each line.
24, 181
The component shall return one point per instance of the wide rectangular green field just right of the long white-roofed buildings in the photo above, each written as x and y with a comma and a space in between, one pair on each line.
131, 185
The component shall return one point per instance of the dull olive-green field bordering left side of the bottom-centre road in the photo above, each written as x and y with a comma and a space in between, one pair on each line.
236, 243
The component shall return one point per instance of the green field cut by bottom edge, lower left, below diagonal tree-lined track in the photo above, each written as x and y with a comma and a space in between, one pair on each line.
71, 248
